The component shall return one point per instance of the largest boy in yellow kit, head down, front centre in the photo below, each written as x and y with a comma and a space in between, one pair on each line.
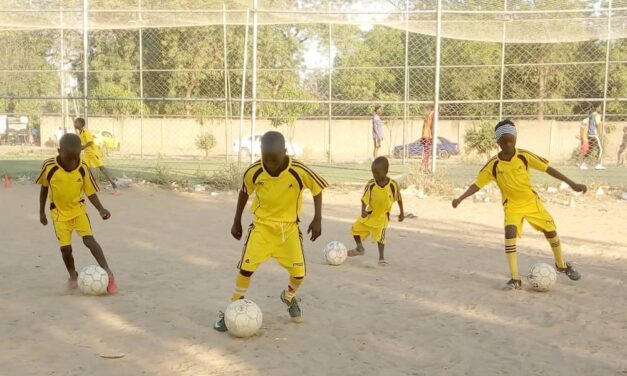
278, 182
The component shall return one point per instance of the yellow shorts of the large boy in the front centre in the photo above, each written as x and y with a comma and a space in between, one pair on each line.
281, 241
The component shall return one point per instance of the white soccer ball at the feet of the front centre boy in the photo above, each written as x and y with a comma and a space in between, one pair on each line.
243, 318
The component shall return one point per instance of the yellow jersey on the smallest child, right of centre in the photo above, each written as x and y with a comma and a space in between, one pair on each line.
379, 201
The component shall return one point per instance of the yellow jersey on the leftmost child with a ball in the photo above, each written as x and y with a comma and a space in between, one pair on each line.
66, 188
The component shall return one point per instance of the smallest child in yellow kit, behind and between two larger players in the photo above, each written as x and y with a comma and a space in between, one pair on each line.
379, 196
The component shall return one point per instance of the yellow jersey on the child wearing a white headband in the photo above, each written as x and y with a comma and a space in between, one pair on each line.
513, 177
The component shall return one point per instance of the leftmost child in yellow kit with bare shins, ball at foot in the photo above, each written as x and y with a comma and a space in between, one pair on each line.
66, 178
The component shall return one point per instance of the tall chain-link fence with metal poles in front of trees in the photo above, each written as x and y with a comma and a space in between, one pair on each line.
183, 78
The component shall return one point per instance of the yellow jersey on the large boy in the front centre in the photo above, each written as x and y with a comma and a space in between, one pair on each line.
280, 198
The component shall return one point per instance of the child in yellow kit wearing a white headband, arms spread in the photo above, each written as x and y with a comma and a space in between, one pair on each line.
510, 170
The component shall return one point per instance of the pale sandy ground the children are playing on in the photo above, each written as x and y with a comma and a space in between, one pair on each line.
437, 310
